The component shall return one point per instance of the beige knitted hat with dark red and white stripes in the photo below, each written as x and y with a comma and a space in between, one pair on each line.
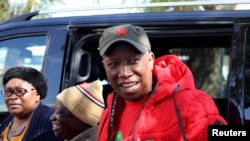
84, 101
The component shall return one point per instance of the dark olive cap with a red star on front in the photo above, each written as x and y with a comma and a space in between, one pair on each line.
134, 35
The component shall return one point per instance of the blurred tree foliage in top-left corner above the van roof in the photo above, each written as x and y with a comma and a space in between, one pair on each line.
10, 8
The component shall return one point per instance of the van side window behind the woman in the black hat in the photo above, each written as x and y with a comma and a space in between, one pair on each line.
21, 51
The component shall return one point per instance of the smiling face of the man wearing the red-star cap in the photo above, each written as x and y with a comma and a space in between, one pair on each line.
129, 71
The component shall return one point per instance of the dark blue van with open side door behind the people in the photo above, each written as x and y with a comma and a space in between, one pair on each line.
214, 44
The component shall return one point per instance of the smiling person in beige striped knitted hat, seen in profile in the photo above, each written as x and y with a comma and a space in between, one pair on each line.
77, 112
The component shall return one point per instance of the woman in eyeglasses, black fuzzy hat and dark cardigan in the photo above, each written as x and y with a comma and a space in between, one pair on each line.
24, 87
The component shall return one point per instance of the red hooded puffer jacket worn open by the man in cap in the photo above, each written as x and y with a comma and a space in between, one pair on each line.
174, 95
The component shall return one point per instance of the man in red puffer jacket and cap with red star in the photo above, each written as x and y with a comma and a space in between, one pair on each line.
152, 99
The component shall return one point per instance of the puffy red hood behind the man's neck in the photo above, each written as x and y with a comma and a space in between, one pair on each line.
169, 72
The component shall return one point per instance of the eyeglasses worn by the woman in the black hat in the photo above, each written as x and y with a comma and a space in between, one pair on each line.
18, 92
